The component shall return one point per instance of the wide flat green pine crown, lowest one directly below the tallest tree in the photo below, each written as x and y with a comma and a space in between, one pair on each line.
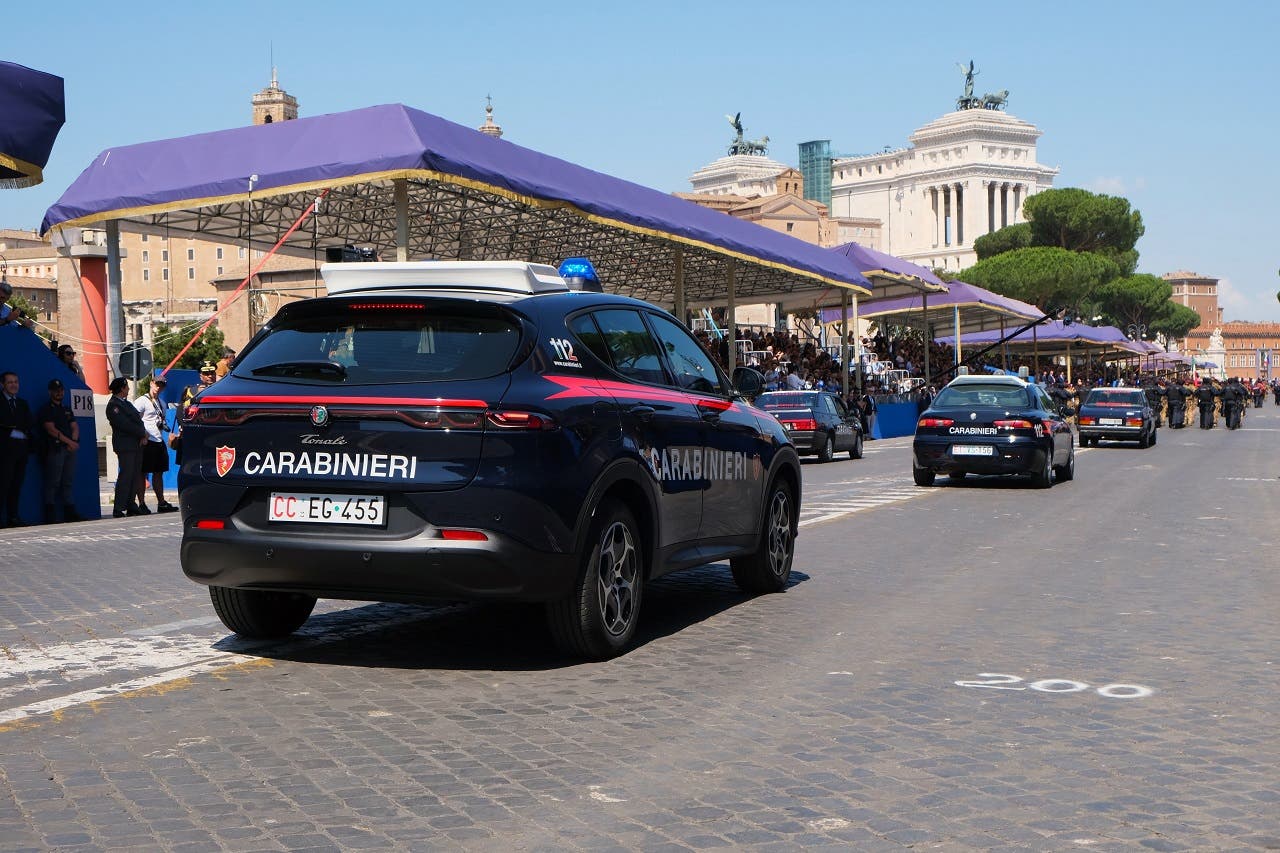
1045, 276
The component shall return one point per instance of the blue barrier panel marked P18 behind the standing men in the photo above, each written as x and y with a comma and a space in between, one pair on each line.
28, 354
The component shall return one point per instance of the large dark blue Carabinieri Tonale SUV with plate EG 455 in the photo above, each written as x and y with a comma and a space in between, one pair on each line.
478, 431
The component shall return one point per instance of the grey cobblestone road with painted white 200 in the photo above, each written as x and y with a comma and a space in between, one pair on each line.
972, 667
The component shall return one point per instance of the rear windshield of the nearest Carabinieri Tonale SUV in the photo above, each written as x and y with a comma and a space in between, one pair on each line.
372, 346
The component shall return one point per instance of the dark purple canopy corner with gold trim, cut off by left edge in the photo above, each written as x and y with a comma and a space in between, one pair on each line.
31, 115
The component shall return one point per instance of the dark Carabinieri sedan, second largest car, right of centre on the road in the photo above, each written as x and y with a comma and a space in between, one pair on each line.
994, 426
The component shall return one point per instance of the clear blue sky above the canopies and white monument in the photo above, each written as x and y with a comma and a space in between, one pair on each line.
1171, 104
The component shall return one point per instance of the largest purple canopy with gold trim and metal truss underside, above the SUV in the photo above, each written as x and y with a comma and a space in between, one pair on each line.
412, 185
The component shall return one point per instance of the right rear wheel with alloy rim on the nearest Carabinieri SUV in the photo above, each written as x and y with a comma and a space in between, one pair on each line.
598, 619
